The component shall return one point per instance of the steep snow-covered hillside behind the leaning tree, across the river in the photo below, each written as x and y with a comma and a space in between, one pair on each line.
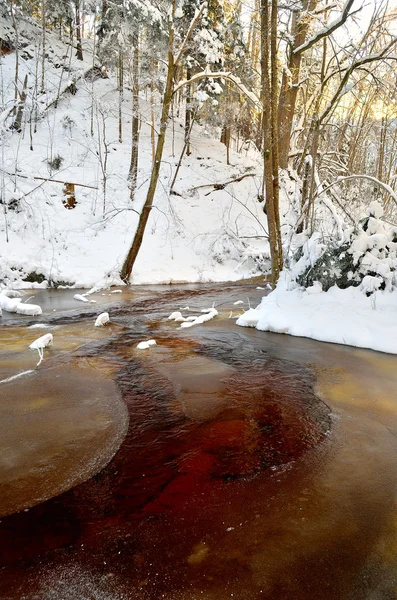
197, 234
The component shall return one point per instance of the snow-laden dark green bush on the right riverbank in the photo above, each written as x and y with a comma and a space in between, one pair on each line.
367, 257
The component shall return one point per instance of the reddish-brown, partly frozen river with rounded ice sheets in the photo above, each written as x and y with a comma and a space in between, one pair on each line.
221, 463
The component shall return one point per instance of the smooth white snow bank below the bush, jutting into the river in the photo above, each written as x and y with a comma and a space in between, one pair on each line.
338, 316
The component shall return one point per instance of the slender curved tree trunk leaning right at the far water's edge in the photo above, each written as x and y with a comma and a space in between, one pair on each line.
147, 207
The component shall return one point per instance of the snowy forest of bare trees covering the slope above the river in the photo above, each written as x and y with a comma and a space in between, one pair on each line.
199, 141
